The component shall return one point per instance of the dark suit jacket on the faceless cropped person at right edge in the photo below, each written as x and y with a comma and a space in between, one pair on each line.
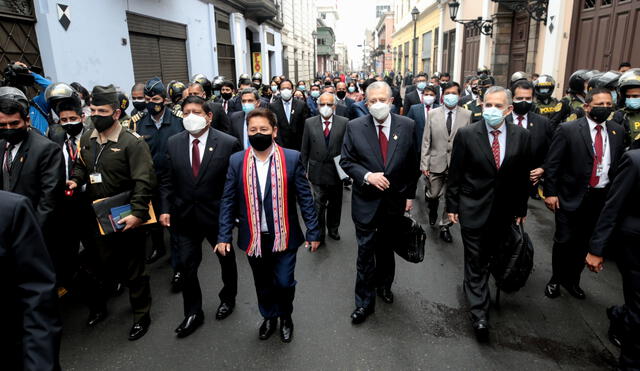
622, 209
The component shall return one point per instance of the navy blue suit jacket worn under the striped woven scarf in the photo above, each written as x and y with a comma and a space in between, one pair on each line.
234, 206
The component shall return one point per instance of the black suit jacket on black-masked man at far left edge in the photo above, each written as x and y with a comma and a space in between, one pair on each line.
38, 173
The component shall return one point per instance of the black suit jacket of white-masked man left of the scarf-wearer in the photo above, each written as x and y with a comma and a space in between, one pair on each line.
195, 201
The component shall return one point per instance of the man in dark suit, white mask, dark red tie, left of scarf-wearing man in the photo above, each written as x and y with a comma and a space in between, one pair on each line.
190, 193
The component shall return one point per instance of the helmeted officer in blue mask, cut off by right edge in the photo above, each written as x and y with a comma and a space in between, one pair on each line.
629, 115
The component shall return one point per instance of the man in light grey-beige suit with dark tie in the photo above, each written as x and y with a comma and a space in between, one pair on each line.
437, 142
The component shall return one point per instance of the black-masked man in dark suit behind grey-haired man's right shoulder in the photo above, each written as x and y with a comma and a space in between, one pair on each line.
539, 127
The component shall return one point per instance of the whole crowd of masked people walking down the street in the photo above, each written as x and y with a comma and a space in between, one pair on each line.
195, 160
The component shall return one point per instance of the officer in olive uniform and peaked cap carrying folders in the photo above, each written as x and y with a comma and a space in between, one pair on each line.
114, 160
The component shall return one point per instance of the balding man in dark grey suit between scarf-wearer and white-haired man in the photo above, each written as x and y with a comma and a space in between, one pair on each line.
321, 142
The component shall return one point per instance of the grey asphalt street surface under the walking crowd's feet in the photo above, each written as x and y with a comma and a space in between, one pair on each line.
426, 328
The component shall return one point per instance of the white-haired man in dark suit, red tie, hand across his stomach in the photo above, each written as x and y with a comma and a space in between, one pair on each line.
380, 155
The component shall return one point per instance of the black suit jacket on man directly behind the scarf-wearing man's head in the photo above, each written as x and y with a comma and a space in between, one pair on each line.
290, 131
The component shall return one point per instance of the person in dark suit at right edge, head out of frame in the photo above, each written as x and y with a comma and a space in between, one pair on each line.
617, 232
